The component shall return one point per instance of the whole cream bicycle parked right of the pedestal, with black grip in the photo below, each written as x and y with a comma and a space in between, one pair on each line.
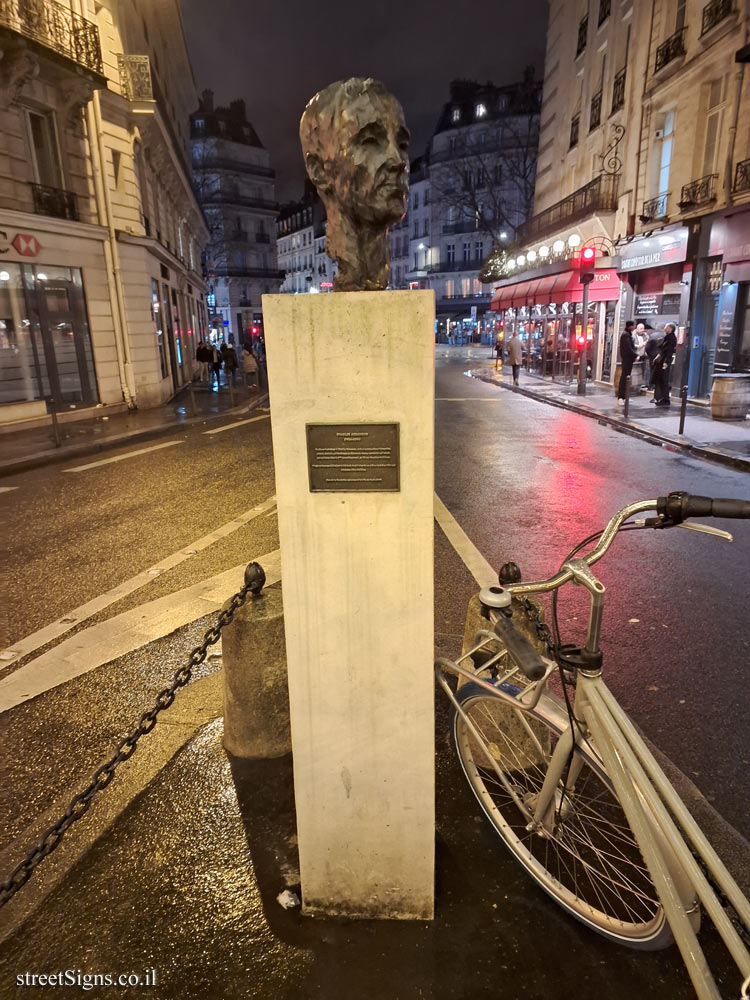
569, 784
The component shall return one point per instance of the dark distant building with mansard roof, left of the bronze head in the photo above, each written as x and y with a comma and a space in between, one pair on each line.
235, 185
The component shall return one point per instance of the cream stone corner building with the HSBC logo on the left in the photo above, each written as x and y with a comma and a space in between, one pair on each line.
101, 297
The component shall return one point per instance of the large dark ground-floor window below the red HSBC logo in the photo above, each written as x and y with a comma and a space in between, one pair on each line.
45, 345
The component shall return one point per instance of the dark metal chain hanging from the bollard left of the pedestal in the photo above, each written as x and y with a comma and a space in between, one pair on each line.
80, 804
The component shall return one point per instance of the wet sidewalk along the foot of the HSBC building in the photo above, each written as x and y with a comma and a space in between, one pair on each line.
28, 449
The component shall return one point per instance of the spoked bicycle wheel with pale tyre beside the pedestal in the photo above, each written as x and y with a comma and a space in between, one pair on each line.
585, 856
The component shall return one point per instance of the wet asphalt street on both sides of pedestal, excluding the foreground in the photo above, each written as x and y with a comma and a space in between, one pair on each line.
524, 480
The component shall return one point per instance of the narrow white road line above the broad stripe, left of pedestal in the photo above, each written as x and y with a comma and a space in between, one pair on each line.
93, 607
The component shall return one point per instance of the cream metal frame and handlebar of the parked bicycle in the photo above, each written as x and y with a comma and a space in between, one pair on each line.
650, 803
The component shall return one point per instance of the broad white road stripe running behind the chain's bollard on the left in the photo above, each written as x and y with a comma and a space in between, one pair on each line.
117, 636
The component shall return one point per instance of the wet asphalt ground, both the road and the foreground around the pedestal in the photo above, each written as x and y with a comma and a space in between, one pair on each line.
525, 481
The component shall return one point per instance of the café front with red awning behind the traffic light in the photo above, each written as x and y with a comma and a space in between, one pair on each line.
547, 312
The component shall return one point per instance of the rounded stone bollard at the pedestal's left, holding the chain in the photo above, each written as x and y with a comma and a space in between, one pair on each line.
256, 696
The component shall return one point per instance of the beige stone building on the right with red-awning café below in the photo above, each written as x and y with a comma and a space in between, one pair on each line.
643, 155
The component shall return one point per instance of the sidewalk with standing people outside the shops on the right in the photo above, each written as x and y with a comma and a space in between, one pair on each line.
723, 441
